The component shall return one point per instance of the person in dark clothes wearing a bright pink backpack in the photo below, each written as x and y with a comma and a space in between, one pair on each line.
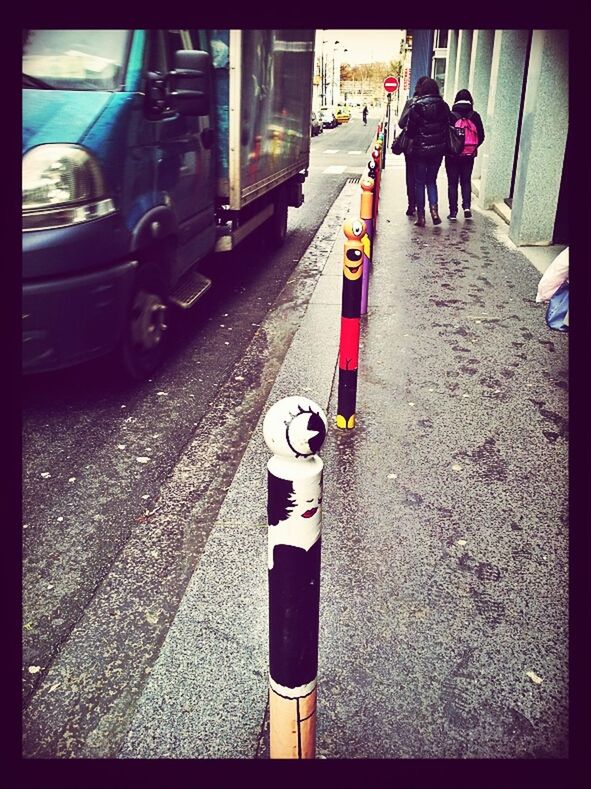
459, 167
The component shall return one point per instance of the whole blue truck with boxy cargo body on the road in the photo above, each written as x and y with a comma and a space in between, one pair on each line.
144, 153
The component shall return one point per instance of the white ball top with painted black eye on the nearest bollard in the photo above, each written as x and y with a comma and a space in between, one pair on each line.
295, 427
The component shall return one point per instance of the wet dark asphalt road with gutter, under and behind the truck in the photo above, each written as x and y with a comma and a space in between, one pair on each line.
105, 562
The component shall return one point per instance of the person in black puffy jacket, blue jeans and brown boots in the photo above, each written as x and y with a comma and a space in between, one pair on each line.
428, 120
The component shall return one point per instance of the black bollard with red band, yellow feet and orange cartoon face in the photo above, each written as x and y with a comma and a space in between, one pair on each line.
354, 230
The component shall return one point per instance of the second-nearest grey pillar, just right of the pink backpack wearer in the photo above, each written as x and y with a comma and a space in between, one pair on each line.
502, 114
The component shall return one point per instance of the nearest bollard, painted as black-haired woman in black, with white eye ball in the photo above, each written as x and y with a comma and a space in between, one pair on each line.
294, 429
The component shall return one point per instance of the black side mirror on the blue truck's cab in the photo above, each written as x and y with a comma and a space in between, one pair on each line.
189, 82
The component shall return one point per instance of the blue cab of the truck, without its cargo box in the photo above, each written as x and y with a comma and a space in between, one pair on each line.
118, 189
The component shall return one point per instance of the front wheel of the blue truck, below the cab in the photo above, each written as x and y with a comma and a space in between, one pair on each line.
144, 340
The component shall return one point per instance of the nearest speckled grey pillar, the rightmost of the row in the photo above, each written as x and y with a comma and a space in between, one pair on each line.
543, 140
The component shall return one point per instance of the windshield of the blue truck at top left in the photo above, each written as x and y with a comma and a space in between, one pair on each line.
75, 59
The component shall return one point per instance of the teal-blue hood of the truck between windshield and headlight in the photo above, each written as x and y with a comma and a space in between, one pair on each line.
59, 115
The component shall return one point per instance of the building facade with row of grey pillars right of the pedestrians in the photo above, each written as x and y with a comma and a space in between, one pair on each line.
519, 81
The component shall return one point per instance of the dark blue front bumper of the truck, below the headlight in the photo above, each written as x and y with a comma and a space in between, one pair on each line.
71, 319
